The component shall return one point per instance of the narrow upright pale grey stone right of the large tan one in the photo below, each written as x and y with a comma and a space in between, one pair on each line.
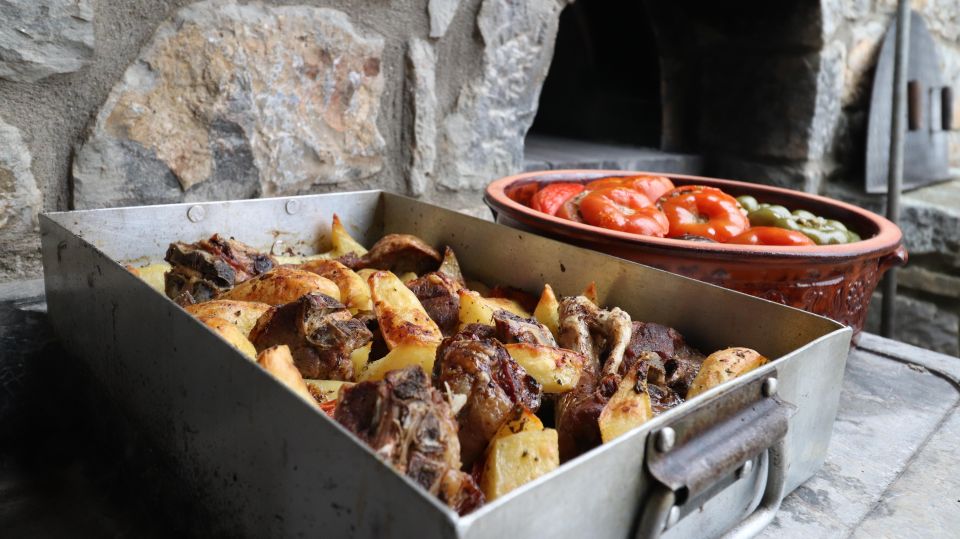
422, 86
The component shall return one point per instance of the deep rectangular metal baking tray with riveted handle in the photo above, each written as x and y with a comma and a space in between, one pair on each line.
266, 465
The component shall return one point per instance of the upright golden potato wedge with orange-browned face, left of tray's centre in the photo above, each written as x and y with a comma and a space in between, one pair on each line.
401, 317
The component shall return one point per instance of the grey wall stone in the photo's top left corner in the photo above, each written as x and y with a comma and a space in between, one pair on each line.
39, 38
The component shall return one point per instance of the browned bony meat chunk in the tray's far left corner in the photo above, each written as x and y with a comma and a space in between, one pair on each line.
208, 267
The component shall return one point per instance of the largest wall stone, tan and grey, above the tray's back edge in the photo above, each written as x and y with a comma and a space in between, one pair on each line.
232, 101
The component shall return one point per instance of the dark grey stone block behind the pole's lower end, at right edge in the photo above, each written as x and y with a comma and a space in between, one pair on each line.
922, 323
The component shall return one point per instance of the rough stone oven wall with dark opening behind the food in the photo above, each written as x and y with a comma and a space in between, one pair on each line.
106, 103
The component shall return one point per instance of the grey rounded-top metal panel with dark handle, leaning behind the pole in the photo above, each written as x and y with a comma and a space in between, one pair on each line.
929, 113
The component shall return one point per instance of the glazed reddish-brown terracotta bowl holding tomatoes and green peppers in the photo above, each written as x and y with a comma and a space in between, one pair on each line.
836, 281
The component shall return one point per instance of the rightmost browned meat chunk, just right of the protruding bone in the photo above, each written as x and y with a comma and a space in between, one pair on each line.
681, 362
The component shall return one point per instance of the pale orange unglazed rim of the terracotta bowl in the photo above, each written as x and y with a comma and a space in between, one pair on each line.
887, 239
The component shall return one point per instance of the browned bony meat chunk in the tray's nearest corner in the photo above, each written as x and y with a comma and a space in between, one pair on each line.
409, 424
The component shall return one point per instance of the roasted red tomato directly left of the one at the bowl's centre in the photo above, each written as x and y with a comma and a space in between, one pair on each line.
623, 209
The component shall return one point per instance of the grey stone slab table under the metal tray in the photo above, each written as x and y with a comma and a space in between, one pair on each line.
893, 468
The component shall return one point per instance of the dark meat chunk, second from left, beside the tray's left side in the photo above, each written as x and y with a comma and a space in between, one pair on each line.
320, 333
